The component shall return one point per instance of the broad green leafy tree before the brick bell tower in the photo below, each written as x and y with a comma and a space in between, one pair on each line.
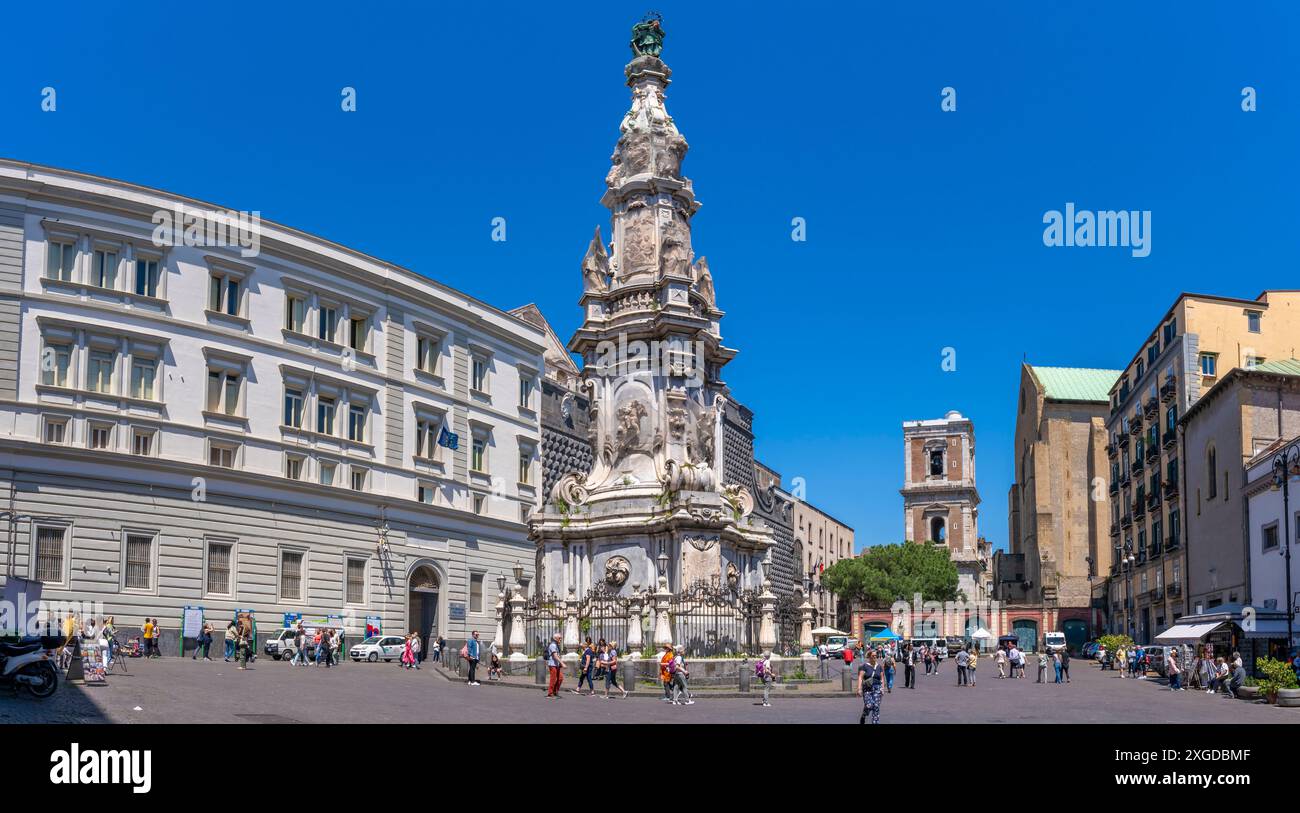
885, 573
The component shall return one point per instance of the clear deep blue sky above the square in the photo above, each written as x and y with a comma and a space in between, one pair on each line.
925, 230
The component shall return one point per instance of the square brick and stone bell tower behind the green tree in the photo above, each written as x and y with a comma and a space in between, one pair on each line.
941, 501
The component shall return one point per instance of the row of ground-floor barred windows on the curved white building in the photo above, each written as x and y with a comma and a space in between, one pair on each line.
140, 570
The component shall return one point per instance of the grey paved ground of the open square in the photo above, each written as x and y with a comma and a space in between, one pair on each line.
184, 691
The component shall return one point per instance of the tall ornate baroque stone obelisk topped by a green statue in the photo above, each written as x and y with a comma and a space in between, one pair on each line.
653, 514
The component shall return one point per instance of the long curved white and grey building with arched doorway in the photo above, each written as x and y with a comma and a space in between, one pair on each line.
185, 425
